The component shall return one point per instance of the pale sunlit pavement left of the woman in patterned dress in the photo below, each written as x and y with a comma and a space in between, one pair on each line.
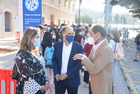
7, 60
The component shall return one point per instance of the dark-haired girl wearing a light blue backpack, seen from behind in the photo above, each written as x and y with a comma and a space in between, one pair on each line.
48, 46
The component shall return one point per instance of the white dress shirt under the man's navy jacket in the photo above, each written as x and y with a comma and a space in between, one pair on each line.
65, 57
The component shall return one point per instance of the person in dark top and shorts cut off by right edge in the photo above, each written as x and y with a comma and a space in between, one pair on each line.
137, 41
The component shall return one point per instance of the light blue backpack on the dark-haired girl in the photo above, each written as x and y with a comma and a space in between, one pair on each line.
48, 55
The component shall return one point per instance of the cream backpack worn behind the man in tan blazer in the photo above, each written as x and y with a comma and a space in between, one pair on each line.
118, 54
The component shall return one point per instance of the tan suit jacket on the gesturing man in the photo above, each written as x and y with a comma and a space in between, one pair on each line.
101, 72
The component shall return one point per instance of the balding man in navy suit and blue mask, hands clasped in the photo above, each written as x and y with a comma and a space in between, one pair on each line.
66, 70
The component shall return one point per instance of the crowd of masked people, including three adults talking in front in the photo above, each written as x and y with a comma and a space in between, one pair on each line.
52, 56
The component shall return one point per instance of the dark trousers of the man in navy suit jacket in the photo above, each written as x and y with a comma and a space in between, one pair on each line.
62, 86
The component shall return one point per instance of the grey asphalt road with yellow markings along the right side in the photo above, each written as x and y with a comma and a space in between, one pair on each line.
133, 68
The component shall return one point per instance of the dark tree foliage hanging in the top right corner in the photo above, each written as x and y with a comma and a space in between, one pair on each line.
132, 5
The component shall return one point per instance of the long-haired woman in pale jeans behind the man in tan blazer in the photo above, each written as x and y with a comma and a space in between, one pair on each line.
116, 39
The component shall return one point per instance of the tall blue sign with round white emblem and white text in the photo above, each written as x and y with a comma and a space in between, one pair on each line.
32, 13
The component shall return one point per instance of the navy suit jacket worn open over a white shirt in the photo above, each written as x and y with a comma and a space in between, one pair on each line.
73, 65
